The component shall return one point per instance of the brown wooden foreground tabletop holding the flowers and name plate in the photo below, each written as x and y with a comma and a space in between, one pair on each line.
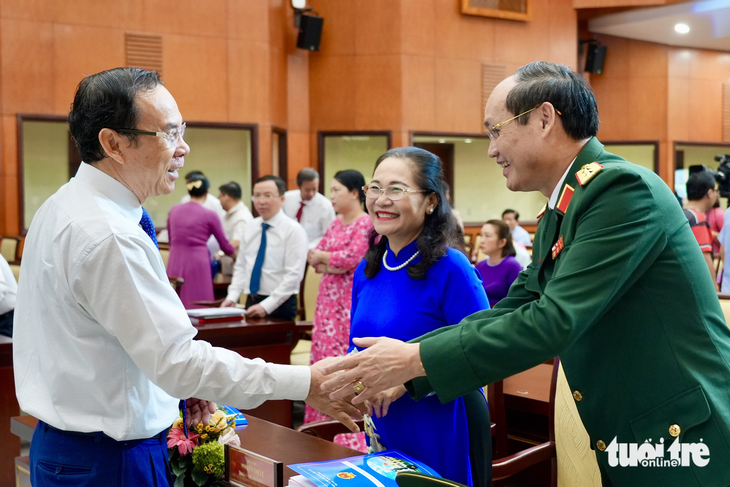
267, 439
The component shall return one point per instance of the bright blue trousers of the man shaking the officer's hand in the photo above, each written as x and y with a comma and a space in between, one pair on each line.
63, 458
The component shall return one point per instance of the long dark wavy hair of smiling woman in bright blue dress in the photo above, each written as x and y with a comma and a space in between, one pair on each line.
439, 227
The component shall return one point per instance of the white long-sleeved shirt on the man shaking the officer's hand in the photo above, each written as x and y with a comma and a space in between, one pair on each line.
101, 340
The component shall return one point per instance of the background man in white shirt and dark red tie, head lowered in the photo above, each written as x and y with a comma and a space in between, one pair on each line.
310, 208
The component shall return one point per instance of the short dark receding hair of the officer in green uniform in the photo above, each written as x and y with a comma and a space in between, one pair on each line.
566, 90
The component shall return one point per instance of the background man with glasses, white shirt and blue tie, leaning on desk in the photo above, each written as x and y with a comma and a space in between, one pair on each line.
270, 266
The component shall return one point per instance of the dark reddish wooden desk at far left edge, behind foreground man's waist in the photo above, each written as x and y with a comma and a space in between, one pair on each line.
9, 444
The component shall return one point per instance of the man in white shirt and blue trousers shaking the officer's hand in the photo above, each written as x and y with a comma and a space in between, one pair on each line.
103, 348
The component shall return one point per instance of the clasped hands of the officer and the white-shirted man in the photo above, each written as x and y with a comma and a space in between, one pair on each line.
364, 382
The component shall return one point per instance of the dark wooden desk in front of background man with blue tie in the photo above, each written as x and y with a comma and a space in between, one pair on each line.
269, 339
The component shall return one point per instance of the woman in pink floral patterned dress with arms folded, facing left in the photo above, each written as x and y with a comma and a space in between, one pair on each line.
339, 252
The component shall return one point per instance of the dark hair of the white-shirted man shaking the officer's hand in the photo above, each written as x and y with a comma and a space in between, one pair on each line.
106, 100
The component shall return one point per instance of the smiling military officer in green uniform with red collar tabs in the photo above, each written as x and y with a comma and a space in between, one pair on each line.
612, 289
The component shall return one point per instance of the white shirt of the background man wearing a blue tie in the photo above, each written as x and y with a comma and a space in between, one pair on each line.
284, 261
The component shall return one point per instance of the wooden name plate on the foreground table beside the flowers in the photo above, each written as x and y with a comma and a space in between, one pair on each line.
245, 468
